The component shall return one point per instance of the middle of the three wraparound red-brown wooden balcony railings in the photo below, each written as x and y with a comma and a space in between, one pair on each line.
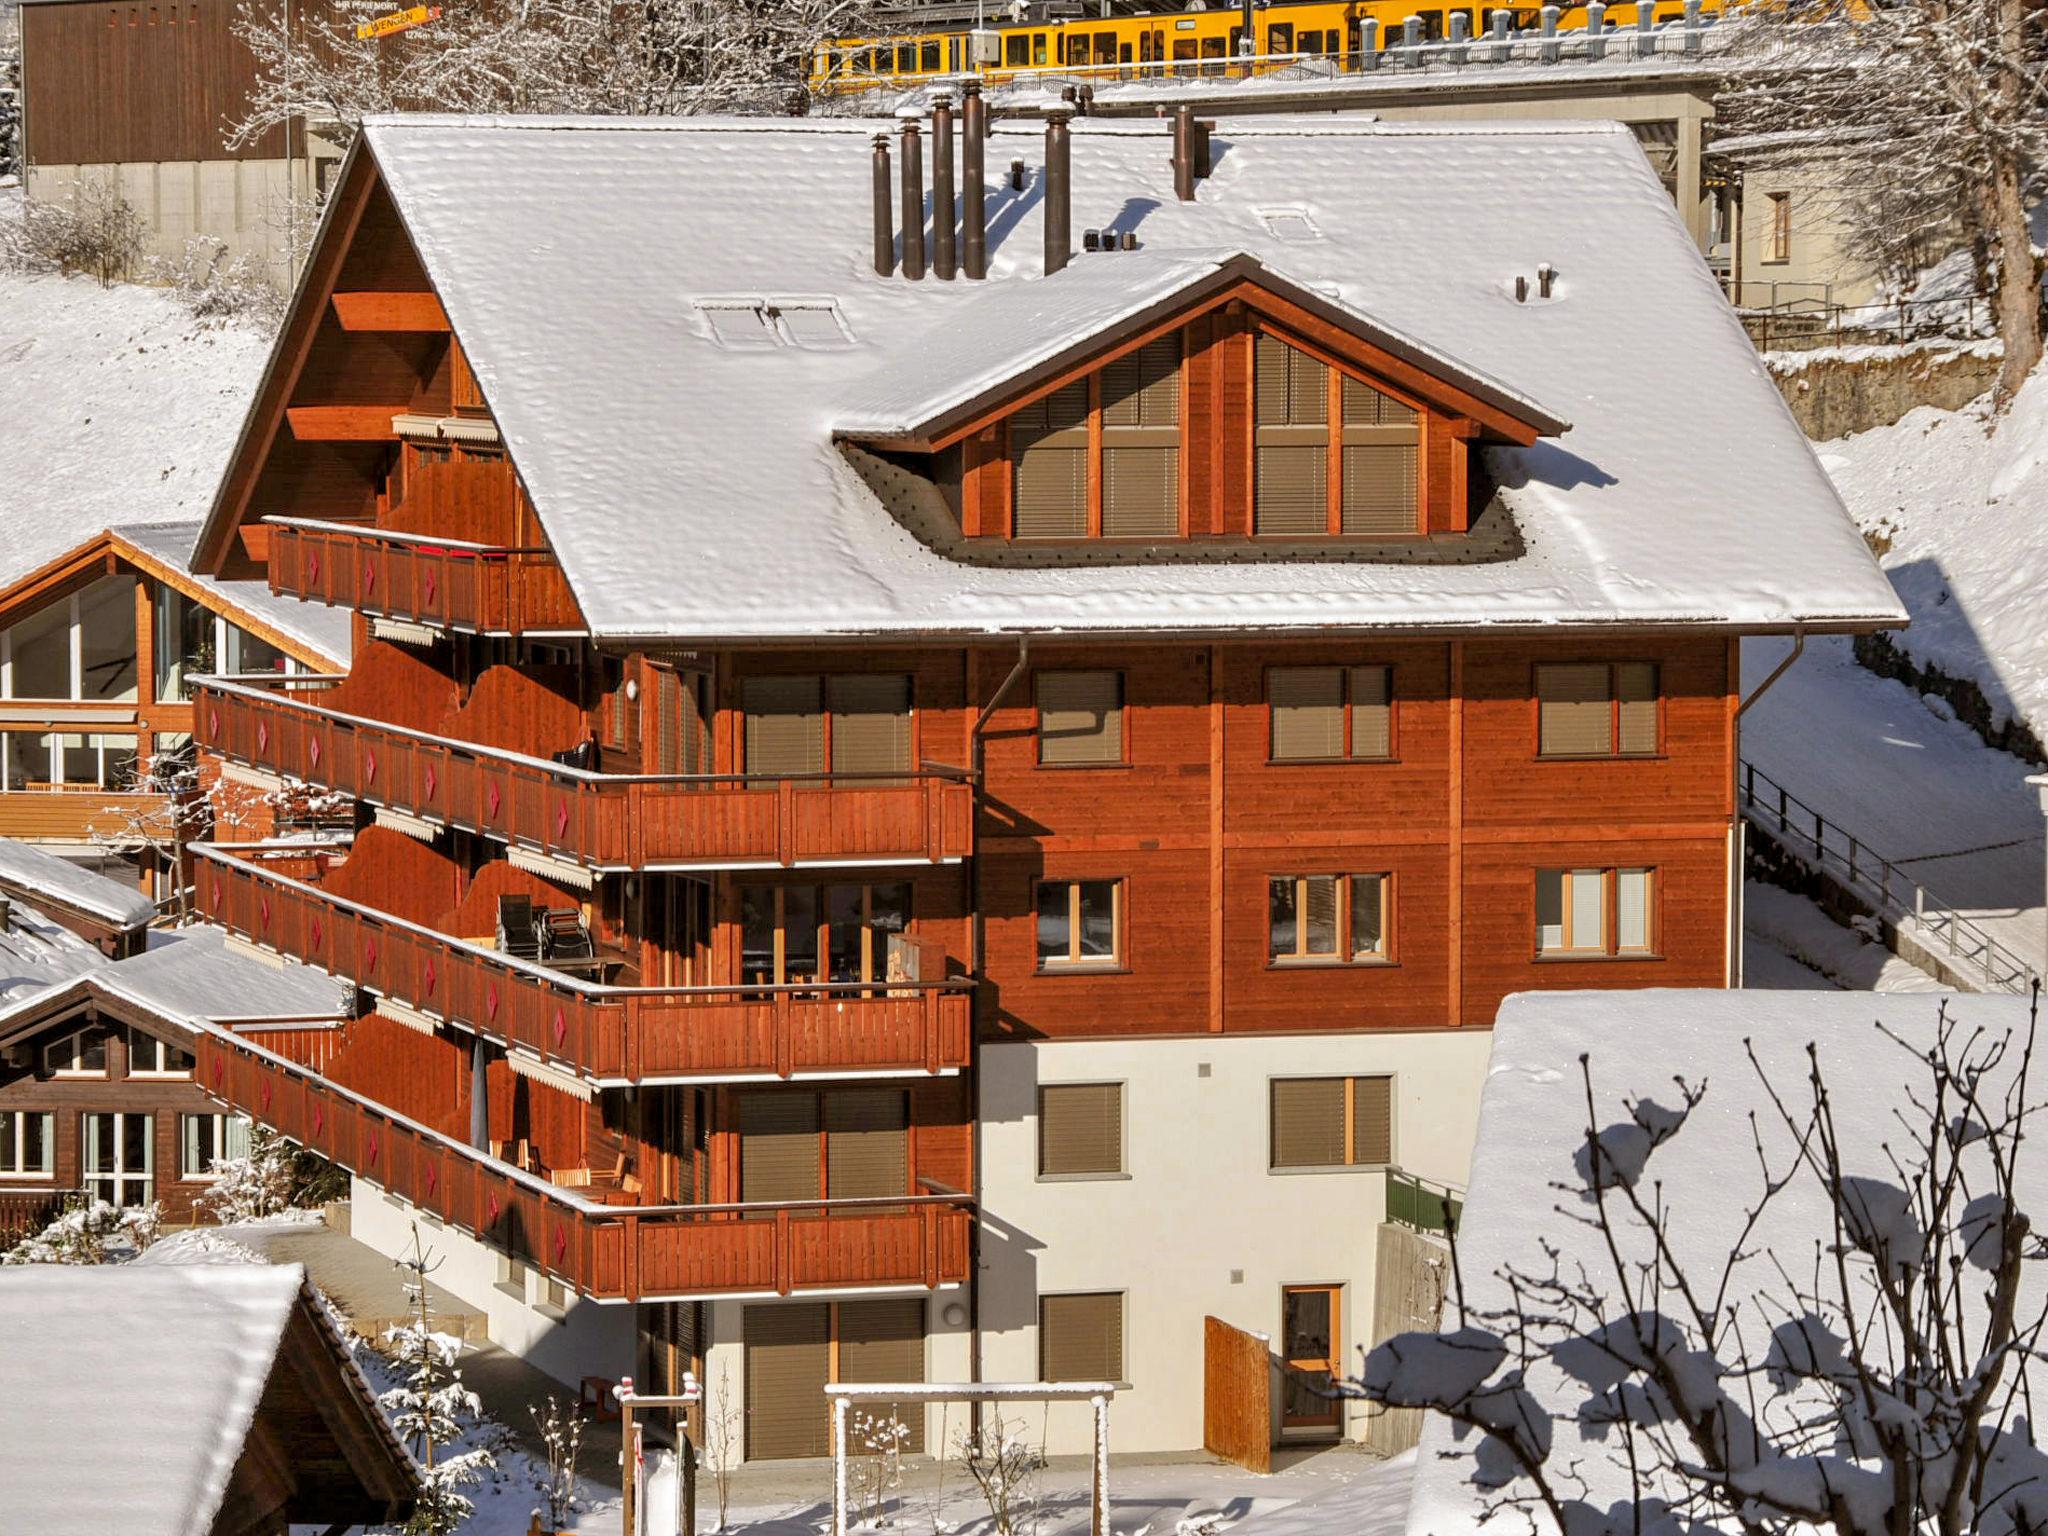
603, 1035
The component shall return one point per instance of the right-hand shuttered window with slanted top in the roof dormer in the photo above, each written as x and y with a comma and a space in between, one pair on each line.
1363, 482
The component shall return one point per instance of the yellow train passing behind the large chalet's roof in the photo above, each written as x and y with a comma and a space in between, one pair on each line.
1179, 42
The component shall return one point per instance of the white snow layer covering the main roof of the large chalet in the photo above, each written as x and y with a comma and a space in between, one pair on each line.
693, 488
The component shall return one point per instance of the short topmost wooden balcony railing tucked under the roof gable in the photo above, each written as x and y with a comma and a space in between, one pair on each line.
421, 579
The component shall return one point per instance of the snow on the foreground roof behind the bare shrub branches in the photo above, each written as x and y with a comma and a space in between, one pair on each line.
1533, 1125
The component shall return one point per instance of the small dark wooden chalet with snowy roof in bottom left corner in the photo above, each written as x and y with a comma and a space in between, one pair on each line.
230, 1388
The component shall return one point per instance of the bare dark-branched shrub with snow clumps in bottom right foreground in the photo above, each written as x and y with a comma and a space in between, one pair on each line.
1869, 1379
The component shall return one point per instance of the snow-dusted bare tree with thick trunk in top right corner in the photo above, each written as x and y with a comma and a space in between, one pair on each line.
1922, 122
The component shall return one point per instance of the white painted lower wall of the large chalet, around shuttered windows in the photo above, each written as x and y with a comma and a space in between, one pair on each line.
1199, 1226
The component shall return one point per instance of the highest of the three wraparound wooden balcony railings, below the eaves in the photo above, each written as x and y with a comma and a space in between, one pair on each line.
587, 818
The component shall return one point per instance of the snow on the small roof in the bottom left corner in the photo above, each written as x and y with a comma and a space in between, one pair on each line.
128, 1394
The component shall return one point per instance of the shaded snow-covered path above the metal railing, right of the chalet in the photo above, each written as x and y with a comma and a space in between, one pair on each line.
1920, 790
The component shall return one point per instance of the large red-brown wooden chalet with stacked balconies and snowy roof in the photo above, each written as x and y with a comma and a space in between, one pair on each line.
949, 798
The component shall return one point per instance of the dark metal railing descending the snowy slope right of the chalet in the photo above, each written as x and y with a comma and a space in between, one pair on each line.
1895, 896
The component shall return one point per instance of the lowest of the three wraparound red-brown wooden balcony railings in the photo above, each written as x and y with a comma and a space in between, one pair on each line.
605, 1252
